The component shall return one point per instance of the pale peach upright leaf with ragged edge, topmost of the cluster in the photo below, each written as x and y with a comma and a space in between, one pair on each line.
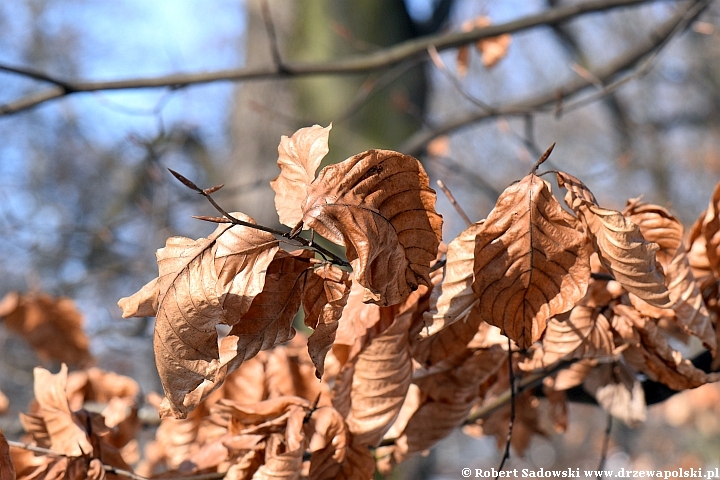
298, 158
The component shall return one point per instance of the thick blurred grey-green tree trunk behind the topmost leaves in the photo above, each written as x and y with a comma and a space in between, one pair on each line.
321, 30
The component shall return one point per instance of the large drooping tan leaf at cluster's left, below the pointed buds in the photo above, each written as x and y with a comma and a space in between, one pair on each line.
201, 284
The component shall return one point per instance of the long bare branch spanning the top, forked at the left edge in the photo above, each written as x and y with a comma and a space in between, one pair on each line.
377, 60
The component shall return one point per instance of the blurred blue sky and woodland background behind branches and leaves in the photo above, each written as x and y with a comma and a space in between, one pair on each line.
85, 197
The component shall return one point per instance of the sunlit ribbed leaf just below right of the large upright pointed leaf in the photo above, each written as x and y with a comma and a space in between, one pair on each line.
581, 333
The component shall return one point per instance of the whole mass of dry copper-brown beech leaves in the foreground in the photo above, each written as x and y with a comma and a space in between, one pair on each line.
418, 340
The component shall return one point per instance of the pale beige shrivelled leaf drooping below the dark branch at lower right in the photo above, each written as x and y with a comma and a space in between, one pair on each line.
618, 392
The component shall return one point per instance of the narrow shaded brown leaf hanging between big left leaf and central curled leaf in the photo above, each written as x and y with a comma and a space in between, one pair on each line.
324, 299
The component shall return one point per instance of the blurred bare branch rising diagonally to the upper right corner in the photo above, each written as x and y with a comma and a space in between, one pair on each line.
548, 101
